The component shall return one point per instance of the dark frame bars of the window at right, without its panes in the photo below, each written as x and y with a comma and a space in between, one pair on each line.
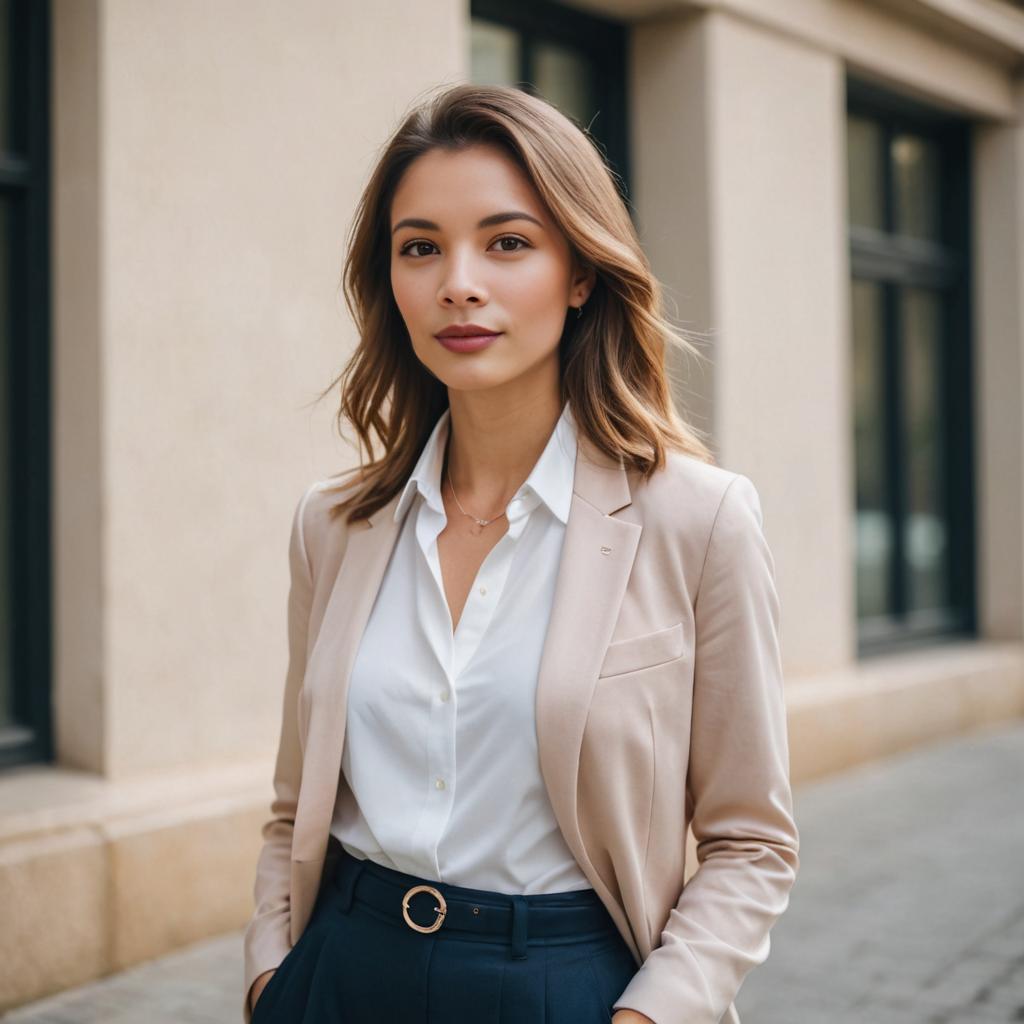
895, 262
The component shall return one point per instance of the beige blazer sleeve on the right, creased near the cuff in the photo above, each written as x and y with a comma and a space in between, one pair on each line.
738, 789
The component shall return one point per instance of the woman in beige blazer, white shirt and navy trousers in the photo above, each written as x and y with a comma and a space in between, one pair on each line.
531, 644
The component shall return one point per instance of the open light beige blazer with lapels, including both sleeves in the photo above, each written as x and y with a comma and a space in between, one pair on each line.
660, 706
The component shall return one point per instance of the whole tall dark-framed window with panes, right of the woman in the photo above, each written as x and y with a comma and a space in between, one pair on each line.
912, 371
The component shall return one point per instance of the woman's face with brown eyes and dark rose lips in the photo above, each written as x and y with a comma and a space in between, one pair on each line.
457, 261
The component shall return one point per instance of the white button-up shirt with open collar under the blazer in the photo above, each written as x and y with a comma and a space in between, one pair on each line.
441, 750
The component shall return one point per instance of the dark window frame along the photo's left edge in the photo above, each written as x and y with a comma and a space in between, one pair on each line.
25, 185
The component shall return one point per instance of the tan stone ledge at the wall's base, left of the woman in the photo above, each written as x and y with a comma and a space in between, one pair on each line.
98, 876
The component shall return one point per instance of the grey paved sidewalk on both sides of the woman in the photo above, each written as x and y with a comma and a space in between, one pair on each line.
909, 910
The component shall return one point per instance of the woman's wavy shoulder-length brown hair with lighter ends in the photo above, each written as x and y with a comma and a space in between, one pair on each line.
613, 361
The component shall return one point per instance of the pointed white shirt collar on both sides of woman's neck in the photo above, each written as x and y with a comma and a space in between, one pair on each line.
550, 481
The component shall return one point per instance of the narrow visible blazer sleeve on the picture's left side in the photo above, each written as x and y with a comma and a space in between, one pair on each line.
267, 938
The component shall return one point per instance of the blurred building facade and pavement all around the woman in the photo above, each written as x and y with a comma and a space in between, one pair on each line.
832, 193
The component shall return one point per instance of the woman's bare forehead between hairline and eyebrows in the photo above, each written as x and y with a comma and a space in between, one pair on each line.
464, 186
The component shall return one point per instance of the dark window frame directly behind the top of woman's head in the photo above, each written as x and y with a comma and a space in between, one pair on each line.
601, 39
